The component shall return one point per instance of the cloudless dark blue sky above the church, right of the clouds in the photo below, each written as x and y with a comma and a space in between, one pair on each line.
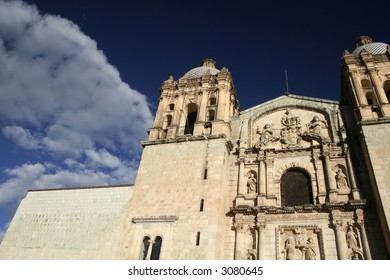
257, 40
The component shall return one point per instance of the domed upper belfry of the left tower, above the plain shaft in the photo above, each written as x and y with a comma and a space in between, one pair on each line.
199, 103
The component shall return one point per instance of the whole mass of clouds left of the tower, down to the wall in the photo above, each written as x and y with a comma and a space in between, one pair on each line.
60, 98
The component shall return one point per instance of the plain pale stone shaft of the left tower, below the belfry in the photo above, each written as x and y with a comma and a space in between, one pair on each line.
169, 187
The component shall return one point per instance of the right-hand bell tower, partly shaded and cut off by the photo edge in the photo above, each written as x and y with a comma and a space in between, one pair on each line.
365, 97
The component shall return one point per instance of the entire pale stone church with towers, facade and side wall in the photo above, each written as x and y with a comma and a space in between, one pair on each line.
294, 178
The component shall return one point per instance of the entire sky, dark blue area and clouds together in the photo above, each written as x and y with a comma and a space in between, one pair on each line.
79, 80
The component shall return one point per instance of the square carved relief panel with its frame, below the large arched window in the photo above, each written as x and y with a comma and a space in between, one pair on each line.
299, 243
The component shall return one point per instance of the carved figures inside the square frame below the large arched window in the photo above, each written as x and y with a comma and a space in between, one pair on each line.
299, 244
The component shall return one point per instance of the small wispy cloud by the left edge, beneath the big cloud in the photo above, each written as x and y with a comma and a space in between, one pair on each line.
22, 137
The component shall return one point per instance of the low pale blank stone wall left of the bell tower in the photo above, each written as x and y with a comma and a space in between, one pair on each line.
66, 224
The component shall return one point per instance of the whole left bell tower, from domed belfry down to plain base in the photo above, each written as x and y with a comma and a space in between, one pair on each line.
181, 187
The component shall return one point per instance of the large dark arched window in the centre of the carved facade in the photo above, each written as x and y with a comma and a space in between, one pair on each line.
296, 188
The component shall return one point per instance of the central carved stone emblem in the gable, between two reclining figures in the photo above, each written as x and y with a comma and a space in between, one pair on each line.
290, 134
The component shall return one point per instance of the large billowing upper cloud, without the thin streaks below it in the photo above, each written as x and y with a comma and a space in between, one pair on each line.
55, 80
